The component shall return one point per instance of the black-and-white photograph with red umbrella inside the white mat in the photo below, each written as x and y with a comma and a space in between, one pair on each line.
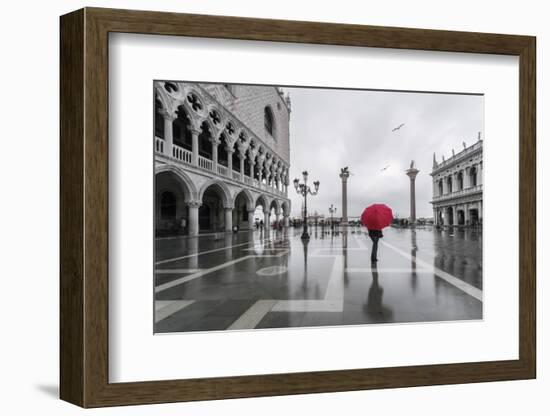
282, 206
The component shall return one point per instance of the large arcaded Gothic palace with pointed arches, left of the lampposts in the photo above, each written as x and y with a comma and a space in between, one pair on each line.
221, 150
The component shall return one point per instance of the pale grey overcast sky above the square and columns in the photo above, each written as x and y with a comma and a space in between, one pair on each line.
330, 129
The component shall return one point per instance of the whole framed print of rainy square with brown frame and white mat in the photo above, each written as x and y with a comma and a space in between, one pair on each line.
256, 207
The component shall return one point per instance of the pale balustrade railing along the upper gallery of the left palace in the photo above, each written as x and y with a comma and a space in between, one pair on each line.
185, 156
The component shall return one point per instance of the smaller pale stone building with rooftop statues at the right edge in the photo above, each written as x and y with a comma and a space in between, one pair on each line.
458, 188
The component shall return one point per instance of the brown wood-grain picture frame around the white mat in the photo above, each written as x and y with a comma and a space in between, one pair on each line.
84, 207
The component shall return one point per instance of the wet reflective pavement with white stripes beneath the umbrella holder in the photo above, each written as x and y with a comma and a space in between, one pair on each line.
275, 280
